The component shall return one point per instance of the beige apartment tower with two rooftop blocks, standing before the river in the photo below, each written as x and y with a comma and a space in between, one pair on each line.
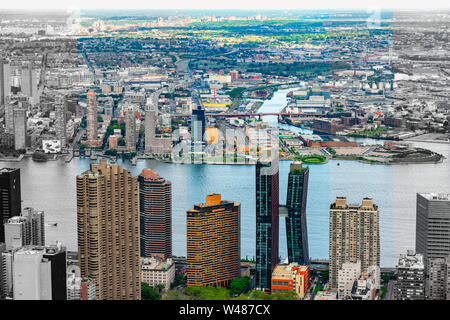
354, 235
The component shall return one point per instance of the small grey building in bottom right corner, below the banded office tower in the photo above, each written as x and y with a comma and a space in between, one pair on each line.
437, 285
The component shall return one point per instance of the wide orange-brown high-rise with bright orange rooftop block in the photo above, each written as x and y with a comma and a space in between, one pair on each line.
213, 242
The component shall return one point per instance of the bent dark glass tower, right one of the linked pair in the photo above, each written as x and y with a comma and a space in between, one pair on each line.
296, 228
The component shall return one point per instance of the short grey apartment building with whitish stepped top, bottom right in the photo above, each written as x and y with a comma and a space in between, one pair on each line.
410, 283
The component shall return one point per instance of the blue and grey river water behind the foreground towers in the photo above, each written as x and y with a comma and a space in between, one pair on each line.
50, 186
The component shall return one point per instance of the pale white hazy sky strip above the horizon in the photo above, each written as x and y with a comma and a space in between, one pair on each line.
223, 4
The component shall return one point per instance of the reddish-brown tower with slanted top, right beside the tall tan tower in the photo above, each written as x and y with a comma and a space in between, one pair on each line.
155, 196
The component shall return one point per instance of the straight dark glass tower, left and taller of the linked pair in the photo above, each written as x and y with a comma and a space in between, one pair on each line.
267, 226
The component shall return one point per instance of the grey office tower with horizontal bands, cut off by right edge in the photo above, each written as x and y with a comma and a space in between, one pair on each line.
433, 225
